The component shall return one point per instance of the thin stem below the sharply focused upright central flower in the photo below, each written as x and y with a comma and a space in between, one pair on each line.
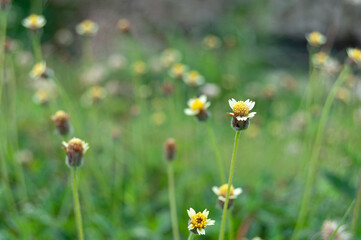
231, 170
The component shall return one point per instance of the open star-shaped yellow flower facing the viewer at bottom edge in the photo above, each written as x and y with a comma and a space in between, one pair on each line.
199, 221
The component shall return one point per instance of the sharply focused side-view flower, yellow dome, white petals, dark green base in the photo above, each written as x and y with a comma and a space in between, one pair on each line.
241, 113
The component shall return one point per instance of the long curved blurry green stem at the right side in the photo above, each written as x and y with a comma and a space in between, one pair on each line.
315, 152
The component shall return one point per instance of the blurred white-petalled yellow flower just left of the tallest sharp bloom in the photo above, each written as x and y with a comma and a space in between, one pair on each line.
198, 107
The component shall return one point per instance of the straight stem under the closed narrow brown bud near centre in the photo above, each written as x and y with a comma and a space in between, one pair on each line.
172, 202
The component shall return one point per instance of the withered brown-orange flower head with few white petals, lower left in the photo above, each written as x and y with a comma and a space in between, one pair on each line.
75, 150
